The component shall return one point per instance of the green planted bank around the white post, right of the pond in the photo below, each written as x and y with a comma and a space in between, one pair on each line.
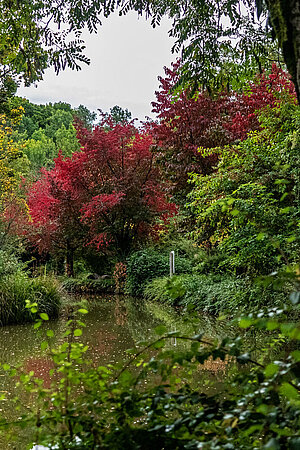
197, 284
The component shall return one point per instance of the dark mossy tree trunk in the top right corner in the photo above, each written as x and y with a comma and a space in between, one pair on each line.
285, 20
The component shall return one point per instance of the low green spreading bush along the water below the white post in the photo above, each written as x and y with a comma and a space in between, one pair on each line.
212, 293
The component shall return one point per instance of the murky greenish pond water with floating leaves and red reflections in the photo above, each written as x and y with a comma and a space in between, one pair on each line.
113, 325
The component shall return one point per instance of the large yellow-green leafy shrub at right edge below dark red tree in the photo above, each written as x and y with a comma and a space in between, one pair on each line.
249, 207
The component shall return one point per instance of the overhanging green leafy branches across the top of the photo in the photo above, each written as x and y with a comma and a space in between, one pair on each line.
211, 34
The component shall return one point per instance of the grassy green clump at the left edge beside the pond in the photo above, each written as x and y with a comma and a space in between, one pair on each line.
15, 290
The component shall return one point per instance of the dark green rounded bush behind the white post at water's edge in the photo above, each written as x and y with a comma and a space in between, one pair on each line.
145, 265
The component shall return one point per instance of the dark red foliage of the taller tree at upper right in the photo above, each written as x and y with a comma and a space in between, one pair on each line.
189, 122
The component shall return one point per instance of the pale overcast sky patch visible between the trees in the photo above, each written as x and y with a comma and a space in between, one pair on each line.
127, 55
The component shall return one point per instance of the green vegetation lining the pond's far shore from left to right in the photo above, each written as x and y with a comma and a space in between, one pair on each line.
195, 286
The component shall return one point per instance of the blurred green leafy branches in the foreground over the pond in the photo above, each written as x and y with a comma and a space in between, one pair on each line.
157, 399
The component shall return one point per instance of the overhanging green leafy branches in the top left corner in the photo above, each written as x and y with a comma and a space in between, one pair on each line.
35, 35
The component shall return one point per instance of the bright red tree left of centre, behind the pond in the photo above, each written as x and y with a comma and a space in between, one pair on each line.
109, 194
